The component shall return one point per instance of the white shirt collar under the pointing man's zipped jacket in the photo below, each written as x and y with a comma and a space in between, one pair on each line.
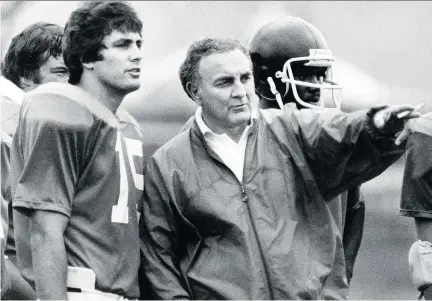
231, 153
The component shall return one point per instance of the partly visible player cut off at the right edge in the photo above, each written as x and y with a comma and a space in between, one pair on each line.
416, 202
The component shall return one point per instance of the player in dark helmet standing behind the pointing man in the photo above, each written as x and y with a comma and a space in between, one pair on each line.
292, 64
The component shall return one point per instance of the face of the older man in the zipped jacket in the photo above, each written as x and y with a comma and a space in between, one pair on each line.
226, 90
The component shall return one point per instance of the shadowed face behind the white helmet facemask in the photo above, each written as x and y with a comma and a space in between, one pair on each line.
313, 75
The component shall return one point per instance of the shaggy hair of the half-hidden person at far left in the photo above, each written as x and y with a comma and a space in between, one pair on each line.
29, 50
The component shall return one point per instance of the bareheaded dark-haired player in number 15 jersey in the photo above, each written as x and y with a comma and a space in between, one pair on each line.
78, 164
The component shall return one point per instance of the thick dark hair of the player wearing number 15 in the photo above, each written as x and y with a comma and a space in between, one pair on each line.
88, 26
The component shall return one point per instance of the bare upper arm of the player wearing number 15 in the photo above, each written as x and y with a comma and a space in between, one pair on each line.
49, 254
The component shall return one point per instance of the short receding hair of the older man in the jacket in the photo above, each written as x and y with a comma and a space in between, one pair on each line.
189, 70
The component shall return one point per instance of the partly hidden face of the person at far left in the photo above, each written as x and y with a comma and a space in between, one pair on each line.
53, 70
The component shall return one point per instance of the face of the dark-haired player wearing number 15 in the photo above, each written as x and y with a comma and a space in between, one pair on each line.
120, 68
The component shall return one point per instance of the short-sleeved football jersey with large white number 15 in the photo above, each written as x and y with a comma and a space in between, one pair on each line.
75, 157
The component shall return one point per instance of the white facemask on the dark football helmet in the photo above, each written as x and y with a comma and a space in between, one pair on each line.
318, 64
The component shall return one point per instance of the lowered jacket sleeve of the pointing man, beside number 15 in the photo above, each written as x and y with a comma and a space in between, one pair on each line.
159, 233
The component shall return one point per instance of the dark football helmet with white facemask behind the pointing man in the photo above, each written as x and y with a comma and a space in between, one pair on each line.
288, 54
